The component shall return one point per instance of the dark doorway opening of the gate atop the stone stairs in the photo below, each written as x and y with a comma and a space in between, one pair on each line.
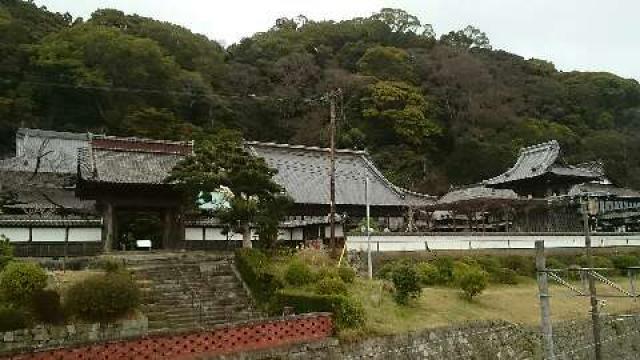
138, 225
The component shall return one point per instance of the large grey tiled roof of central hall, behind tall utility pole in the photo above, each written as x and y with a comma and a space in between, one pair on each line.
304, 173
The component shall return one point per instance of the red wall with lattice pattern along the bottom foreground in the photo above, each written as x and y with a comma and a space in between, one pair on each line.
223, 340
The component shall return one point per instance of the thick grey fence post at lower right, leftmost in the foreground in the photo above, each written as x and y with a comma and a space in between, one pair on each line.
545, 307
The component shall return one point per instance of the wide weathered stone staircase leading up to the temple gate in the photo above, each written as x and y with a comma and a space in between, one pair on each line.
185, 291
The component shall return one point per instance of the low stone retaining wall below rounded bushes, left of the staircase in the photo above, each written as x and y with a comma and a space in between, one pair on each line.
51, 337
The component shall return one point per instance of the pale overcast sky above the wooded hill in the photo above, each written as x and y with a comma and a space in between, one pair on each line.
589, 35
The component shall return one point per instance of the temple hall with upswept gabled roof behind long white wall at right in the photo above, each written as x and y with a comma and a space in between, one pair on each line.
539, 193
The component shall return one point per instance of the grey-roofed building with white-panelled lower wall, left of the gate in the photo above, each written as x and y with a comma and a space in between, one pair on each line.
41, 210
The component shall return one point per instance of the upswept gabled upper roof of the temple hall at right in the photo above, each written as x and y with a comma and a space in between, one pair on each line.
539, 172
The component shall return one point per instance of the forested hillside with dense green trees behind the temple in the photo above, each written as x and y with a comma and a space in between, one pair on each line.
432, 109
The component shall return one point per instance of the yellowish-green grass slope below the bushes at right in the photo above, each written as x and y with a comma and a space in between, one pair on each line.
442, 306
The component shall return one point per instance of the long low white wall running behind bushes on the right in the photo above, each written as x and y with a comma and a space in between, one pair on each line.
421, 242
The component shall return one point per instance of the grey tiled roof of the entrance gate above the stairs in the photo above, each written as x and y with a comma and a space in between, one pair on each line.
131, 160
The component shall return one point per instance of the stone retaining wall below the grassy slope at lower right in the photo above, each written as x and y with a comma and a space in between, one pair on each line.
478, 341
